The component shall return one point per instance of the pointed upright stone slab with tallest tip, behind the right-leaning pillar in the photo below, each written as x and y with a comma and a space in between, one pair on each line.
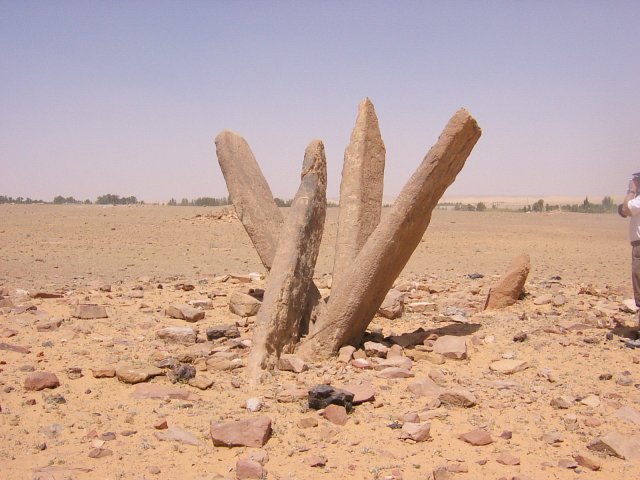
360, 189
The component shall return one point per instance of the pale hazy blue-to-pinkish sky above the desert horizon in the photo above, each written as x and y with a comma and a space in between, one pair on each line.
126, 97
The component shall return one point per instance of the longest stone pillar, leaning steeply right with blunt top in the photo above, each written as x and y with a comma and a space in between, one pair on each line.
362, 288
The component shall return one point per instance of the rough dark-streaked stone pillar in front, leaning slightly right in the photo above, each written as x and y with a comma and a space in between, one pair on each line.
280, 316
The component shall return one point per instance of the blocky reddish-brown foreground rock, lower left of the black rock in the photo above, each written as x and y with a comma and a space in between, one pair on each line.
251, 432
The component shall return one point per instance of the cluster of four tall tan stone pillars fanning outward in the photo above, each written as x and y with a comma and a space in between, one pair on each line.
370, 254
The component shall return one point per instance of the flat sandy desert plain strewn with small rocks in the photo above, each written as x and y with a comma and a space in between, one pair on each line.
548, 382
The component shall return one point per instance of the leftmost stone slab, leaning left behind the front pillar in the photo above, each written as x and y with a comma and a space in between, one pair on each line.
250, 194
